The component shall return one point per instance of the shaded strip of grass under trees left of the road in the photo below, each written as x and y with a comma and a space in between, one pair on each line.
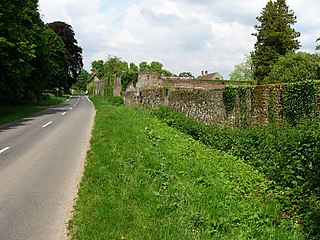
11, 113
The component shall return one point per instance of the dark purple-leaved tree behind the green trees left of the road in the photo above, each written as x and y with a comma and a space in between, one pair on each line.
74, 52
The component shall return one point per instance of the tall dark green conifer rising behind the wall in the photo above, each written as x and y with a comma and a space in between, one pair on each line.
275, 37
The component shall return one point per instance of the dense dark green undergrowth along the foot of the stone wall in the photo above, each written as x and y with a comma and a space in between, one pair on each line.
288, 155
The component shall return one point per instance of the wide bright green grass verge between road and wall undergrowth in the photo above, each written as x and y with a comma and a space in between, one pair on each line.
145, 180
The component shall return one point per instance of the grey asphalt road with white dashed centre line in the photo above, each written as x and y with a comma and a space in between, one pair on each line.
41, 160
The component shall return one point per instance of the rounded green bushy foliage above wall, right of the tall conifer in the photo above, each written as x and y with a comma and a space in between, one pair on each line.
294, 67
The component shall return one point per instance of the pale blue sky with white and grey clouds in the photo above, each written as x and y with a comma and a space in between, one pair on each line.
183, 35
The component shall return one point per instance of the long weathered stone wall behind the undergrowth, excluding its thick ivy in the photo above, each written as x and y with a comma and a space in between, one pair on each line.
261, 105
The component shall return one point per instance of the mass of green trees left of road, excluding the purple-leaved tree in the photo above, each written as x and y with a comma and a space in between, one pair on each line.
32, 57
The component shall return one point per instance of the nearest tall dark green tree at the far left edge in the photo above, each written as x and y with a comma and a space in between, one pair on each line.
17, 48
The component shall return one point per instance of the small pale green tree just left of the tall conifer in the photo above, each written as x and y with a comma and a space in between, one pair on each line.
243, 71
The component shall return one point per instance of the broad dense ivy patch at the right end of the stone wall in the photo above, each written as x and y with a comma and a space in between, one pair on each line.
299, 101
